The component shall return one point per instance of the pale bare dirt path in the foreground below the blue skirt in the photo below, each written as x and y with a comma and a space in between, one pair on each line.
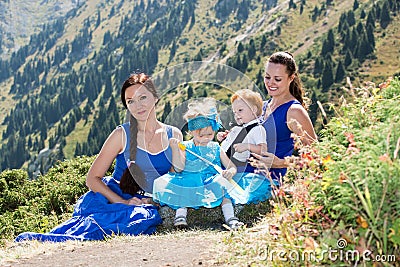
190, 248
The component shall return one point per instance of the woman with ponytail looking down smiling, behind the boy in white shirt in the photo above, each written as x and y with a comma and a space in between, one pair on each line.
283, 114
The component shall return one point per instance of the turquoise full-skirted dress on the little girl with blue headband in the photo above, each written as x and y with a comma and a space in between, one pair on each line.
196, 185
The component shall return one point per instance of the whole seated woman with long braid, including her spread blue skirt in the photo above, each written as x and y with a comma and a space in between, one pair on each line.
121, 204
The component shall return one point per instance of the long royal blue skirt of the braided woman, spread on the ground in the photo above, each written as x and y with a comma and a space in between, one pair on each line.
95, 218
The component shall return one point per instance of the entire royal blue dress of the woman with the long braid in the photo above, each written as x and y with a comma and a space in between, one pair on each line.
95, 218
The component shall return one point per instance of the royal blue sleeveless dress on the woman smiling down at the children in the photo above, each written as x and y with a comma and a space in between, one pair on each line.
279, 139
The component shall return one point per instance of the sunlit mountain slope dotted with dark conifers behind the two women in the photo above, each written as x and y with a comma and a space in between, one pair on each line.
59, 92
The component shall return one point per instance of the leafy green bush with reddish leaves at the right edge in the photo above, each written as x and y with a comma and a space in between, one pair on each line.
361, 185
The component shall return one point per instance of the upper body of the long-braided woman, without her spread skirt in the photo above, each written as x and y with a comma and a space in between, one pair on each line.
140, 147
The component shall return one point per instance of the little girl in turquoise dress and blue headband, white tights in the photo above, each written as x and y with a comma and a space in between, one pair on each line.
199, 184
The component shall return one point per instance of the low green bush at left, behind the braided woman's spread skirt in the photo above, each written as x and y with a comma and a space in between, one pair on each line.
41, 204
